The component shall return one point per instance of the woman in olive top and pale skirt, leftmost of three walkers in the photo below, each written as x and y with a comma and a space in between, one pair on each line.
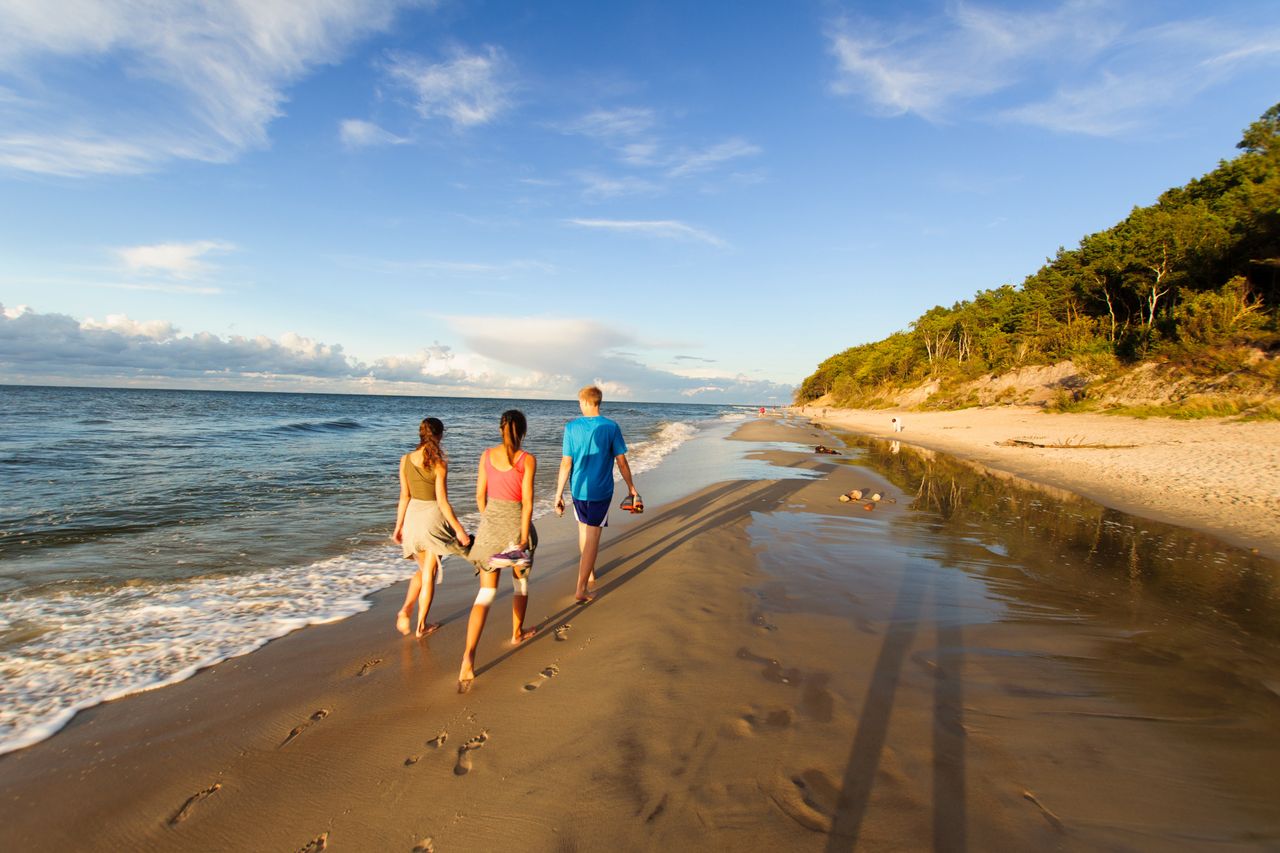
427, 528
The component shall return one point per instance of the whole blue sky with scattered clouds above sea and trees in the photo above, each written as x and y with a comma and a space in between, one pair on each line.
679, 202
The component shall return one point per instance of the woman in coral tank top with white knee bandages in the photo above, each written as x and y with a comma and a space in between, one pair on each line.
505, 495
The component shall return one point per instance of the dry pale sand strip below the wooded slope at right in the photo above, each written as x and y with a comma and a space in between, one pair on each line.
1214, 475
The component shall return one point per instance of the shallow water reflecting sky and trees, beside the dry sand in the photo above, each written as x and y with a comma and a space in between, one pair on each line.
1040, 672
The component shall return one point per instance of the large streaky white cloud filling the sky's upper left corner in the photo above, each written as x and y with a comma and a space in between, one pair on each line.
188, 79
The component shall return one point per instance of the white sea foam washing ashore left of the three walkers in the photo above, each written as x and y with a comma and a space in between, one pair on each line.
84, 649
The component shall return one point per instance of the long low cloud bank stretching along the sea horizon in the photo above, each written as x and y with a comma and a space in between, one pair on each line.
554, 361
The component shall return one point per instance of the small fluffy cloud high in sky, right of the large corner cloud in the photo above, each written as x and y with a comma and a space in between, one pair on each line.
467, 89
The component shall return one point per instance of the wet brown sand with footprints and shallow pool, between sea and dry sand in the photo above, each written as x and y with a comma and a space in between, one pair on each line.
971, 664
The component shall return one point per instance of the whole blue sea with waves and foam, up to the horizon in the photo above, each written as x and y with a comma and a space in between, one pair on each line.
145, 535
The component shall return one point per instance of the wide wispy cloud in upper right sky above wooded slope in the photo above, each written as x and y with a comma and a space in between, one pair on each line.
1078, 67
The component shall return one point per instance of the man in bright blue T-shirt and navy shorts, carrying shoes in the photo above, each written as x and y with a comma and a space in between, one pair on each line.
592, 446
